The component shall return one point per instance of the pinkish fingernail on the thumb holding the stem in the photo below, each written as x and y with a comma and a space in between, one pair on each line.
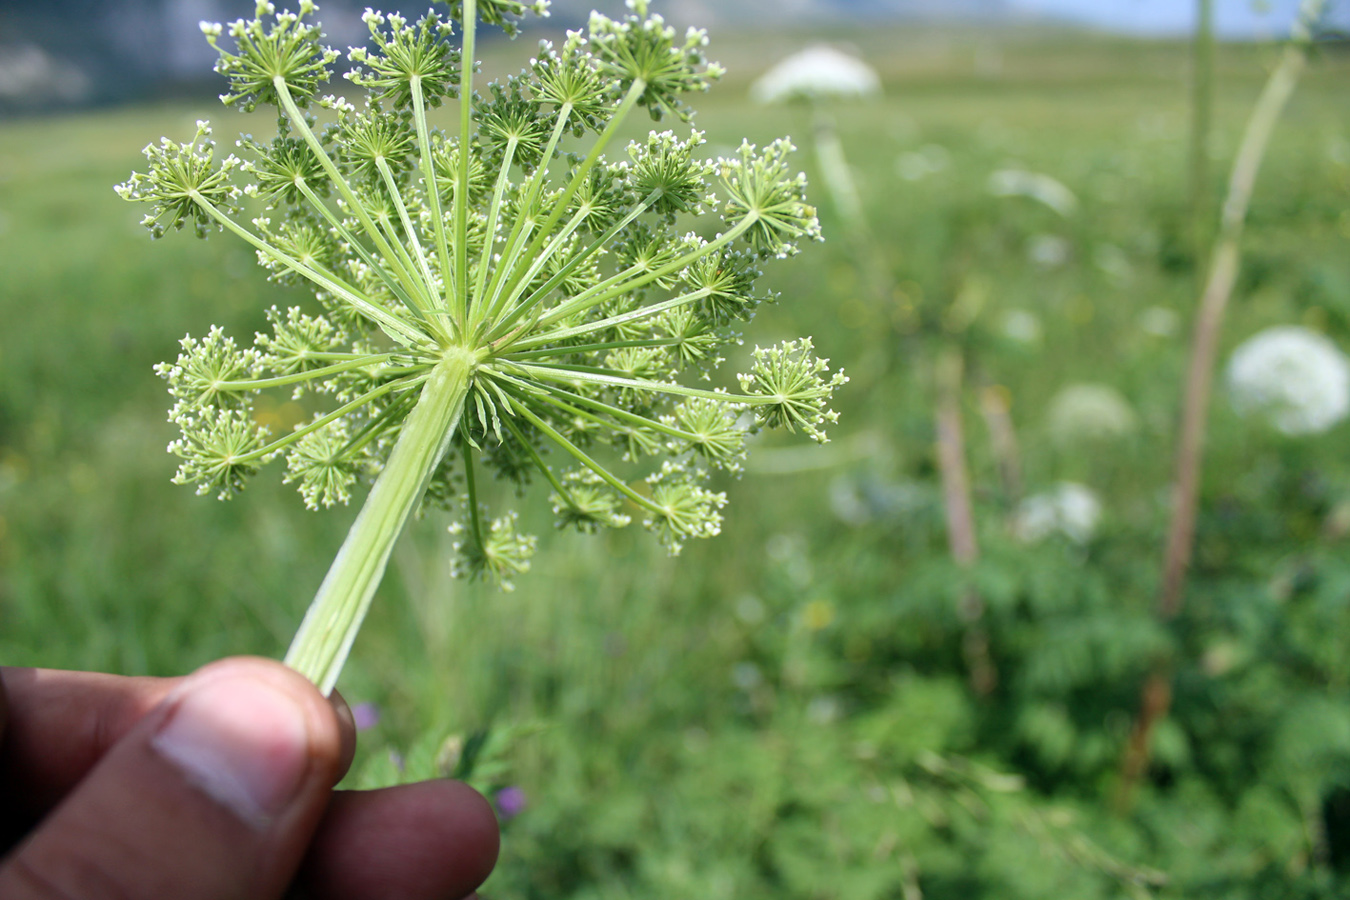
242, 743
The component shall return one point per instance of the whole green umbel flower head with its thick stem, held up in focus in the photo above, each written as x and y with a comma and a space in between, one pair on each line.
489, 302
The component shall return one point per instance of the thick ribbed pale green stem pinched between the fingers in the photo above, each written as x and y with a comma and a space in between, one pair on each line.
330, 627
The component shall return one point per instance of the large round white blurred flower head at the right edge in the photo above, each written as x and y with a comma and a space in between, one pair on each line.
1297, 380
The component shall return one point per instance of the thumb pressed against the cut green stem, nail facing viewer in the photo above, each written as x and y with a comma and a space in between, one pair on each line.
214, 795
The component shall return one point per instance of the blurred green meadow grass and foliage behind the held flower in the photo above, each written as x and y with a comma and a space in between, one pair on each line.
780, 713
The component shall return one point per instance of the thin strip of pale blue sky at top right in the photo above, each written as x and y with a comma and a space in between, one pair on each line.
1233, 18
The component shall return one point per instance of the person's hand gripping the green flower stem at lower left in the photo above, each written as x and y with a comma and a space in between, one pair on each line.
211, 787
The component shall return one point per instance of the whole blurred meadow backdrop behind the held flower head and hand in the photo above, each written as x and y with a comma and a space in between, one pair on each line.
913, 662
